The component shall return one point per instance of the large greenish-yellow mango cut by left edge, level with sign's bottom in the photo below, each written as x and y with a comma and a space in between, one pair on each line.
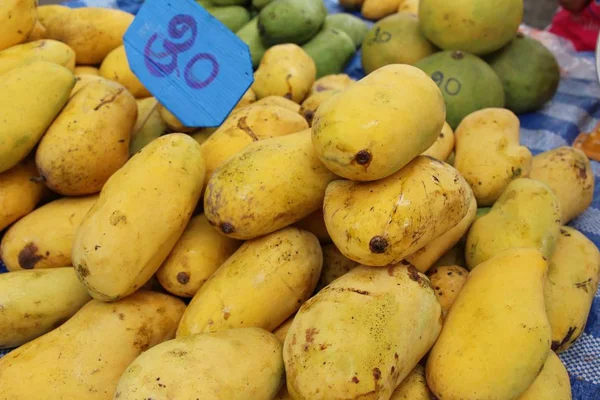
32, 96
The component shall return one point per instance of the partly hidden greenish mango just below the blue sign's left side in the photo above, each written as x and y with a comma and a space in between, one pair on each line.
149, 124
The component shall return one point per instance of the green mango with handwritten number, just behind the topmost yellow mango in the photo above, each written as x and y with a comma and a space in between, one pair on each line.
467, 82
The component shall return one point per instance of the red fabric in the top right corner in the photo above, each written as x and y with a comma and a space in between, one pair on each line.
580, 28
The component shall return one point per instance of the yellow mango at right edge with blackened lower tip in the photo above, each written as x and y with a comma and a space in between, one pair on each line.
572, 283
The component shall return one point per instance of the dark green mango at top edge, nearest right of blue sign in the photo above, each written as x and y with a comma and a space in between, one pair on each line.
291, 21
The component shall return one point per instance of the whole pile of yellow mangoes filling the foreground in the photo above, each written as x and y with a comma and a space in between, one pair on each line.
336, 238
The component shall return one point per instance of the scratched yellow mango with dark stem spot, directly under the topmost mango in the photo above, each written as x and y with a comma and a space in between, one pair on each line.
380, 223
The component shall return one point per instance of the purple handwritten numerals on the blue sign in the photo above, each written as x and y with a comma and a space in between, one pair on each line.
179, 26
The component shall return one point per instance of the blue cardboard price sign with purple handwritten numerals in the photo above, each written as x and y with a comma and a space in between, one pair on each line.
192, 63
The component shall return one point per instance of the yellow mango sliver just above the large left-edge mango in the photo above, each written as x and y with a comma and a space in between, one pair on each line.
41, 50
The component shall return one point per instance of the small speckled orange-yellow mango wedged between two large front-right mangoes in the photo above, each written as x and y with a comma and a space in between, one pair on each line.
447, 281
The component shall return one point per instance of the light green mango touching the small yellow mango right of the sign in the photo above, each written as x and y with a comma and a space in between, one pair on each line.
331, 50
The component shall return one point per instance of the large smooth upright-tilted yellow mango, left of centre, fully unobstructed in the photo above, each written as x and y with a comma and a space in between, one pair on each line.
117, 247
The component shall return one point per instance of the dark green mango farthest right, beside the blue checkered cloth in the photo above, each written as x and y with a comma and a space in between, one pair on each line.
529, 72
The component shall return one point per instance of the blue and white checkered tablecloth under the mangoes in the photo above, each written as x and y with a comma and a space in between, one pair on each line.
574, 109
